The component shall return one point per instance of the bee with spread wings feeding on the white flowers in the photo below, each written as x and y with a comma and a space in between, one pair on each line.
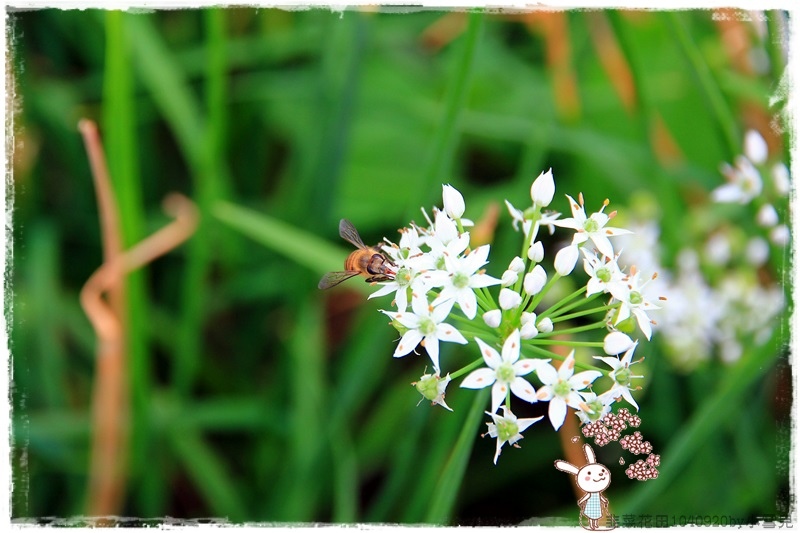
368, 261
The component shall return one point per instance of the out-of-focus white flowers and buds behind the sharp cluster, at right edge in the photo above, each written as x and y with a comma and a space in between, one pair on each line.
719, 302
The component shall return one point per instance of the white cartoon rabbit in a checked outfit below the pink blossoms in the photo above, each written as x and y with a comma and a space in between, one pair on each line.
593, 479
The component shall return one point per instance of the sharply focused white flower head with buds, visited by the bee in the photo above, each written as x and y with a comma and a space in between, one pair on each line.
441, 294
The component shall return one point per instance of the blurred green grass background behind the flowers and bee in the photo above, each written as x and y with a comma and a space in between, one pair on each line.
256, 397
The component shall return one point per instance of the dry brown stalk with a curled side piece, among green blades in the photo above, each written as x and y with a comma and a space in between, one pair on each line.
110, 399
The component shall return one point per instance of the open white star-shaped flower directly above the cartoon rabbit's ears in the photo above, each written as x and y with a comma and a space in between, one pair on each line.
561, 387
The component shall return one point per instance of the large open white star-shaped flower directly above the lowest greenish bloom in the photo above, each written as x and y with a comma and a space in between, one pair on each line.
503, 372
